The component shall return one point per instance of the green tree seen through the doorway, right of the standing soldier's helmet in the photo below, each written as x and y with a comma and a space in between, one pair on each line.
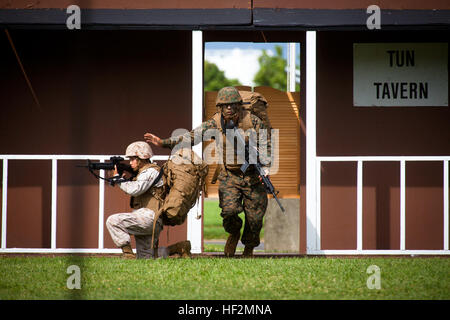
272, 70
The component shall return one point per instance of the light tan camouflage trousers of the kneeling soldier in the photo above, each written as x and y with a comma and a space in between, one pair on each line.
138, 223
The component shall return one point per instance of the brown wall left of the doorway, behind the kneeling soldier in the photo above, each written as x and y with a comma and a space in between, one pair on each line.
98, 91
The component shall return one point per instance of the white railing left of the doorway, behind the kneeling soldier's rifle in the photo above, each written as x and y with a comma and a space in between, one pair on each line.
53, 248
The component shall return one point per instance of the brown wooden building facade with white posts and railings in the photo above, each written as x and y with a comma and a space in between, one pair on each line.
373, 179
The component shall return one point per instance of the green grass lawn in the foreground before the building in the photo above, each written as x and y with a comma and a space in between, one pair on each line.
220, 278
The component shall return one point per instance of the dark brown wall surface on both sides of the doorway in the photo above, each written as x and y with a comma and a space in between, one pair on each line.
80, 91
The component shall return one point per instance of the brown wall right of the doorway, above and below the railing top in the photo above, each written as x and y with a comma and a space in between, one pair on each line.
344, 130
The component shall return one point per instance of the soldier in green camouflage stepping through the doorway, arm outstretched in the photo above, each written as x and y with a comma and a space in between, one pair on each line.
237, 191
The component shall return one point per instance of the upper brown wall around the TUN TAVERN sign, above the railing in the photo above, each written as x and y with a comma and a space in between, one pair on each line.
346, 130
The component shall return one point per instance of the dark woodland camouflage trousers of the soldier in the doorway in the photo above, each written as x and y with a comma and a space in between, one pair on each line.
237, 193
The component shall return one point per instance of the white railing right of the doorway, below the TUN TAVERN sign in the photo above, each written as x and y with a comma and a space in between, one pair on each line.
359, 191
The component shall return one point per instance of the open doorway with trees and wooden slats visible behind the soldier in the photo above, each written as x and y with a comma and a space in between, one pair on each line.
273, 70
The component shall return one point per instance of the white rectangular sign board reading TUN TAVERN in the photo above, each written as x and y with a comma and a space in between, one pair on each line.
400, 74
